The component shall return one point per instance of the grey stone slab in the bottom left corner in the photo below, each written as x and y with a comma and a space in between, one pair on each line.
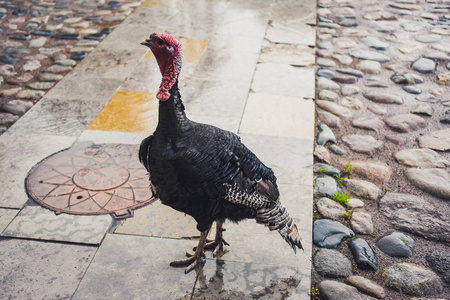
41, 270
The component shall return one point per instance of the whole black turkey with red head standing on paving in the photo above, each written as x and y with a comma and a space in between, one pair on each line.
204, 171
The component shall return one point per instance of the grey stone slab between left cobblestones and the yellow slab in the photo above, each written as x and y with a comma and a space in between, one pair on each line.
58, 117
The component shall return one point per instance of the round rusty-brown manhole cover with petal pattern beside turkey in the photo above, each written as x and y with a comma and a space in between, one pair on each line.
90, 179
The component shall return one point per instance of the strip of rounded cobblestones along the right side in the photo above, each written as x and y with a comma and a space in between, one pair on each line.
383, 138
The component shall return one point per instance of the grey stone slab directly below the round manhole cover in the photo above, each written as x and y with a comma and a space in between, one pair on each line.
36, 222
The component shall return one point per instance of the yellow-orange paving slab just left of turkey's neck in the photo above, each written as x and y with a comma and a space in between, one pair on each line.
128, 111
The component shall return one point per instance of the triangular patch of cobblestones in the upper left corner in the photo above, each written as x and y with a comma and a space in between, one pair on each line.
43, 40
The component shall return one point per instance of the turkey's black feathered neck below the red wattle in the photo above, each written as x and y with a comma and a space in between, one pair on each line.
172, 118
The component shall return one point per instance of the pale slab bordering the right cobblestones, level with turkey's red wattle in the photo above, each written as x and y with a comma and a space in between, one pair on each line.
283, 79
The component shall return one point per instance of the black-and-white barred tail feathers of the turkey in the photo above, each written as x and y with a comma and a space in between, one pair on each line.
276, 217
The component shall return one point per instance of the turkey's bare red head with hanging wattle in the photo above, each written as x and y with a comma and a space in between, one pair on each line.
167, 51
